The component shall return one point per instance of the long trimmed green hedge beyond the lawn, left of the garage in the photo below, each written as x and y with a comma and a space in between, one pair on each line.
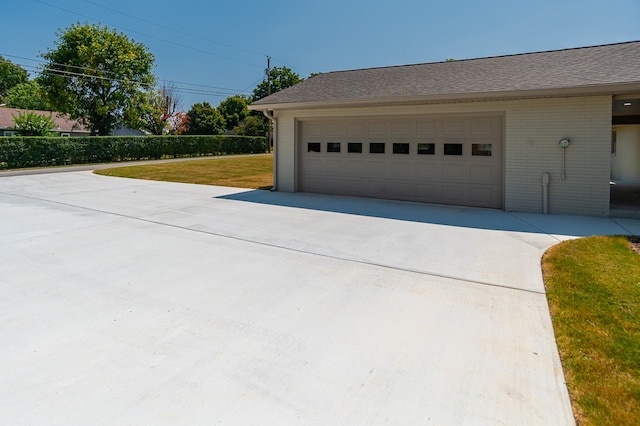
18, 152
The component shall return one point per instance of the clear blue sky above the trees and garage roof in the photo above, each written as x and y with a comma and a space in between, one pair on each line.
214, 49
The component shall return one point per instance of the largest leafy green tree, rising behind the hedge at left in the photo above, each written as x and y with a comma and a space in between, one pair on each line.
97, 76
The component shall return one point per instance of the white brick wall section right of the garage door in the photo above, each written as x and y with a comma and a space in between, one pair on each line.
534, 129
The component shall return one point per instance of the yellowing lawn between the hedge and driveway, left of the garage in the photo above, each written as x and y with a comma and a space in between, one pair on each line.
248, 171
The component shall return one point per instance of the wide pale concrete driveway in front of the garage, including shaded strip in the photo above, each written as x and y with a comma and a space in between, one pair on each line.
137, 302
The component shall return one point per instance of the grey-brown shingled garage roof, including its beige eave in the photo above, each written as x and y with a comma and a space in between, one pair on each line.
613, 68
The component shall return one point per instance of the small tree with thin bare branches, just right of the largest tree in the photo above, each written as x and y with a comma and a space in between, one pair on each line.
160, 109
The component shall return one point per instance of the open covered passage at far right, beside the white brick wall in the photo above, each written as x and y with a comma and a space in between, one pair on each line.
625, 157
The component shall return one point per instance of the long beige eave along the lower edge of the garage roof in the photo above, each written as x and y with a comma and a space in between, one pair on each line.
606, 89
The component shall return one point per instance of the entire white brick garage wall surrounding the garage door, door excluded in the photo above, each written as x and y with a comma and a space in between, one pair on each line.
532, 130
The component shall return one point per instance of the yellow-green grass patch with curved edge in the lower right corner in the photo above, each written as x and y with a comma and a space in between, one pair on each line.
593, 289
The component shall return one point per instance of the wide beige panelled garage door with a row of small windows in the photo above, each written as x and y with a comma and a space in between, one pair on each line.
447, 160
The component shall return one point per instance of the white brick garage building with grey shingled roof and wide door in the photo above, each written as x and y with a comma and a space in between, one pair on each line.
481, 132
